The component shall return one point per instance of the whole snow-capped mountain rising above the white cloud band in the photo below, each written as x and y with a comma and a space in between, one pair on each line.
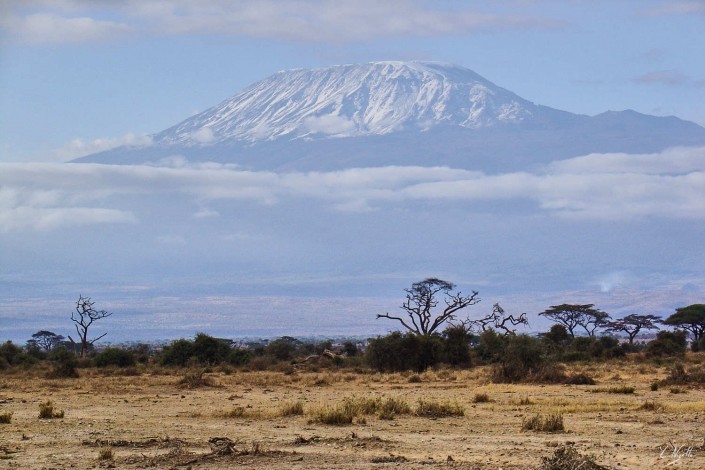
396, 113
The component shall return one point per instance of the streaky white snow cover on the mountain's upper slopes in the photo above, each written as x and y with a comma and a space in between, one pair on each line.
354, 100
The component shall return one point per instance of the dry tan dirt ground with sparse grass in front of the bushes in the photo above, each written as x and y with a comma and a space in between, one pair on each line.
150, 421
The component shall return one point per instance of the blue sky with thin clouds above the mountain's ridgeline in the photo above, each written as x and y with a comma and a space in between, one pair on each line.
78, 76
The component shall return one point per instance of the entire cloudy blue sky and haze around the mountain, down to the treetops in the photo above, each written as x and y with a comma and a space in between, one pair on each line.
186, 248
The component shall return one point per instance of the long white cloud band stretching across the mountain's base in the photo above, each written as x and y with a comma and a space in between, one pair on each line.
601, 186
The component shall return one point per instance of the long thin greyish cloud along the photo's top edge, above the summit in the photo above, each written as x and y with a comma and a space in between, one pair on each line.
72, 21
